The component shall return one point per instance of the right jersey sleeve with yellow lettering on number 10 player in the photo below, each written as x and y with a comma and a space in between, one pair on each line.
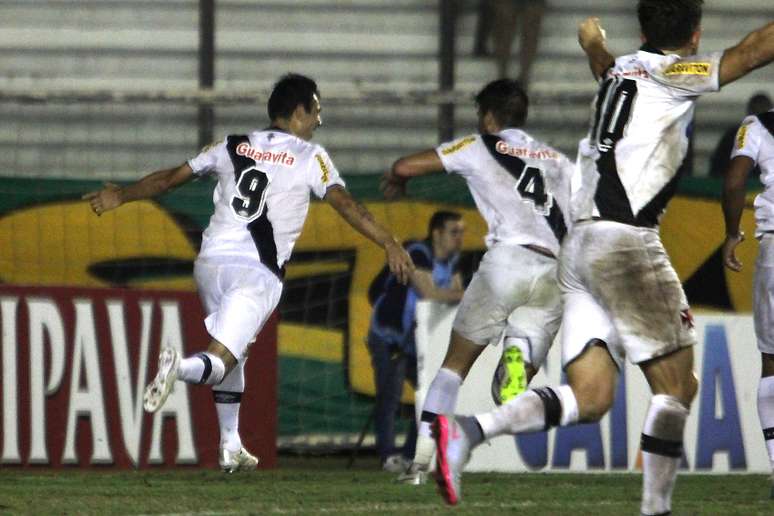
692, 75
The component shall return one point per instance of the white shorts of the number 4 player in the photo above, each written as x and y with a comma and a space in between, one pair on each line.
514, 291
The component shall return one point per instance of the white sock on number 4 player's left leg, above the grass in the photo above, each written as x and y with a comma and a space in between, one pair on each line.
441, 399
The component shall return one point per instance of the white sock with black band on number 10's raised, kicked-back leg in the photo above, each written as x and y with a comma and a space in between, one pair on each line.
532, 411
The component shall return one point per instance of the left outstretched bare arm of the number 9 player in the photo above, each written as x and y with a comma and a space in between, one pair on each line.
112, 196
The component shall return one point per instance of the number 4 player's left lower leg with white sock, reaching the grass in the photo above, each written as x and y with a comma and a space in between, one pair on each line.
442, 397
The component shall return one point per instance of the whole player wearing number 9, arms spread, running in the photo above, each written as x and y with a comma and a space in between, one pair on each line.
261, 200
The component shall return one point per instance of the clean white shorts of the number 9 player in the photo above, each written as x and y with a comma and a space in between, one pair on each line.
238, 300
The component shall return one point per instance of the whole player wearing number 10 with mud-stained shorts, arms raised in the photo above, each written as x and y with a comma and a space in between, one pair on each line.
621, 295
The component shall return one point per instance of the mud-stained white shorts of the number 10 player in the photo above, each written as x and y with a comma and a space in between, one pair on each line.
618, 286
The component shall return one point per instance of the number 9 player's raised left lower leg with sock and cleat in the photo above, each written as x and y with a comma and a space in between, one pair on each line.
202, 368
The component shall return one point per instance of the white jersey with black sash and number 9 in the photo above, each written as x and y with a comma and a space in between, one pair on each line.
262, 196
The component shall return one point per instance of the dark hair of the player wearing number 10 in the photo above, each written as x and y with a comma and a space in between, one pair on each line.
669, 23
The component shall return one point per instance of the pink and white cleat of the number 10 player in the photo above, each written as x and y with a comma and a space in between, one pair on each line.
452, 453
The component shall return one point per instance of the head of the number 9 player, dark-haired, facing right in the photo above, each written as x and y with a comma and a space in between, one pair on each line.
294, 105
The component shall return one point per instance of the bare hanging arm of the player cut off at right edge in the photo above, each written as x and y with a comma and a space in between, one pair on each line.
733, 205
